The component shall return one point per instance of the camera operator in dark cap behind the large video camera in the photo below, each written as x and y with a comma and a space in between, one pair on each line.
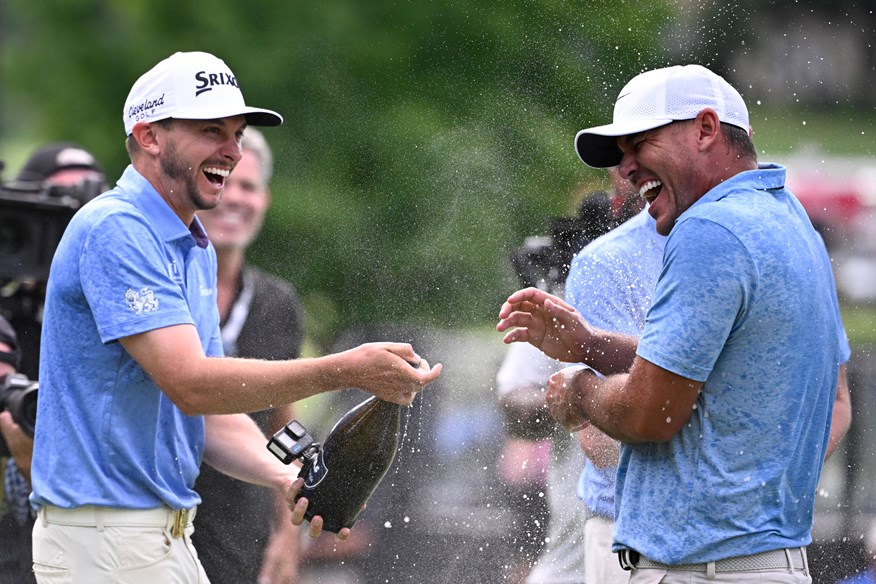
55, 170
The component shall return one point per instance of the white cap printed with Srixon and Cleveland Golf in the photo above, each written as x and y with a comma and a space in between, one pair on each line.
190, 86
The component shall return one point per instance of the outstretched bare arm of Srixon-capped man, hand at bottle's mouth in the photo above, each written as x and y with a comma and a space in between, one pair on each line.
174, 358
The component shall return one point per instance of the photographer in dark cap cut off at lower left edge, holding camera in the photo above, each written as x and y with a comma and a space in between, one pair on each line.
16, 524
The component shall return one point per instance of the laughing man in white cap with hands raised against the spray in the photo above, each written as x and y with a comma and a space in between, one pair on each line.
723, 404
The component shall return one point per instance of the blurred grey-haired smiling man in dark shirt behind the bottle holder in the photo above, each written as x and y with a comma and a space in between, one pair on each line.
244, 533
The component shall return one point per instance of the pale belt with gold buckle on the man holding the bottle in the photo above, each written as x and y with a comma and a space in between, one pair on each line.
92, 516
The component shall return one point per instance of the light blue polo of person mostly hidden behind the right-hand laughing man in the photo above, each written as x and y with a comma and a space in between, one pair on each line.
611, 282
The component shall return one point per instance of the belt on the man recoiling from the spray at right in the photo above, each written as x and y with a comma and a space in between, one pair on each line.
783, 559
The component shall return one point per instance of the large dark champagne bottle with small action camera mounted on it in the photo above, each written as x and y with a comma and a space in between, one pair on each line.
341, 475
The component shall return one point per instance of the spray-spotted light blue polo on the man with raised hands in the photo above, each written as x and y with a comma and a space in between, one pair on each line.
745, 303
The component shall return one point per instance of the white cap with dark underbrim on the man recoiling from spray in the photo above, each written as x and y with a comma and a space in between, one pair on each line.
656, 98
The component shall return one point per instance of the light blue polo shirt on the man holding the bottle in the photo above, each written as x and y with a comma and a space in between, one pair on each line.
106, 434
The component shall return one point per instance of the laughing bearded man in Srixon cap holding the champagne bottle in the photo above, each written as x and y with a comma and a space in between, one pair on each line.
132, 395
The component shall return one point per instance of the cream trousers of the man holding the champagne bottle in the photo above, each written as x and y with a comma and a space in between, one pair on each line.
92, 545
